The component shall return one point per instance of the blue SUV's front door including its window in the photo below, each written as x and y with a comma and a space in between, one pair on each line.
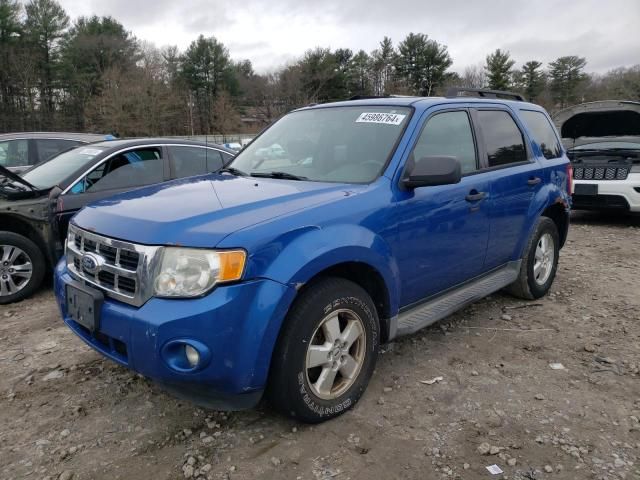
443, 230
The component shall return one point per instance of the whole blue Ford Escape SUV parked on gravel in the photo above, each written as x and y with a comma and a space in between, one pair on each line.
284, 274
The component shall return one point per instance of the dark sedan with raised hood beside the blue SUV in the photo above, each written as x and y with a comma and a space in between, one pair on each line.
35, 208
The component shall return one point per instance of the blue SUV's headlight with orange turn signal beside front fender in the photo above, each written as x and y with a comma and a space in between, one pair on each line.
191, 272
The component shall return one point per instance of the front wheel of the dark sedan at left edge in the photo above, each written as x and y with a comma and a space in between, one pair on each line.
16, 254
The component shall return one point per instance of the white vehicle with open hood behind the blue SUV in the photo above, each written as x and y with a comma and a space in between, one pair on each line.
603, 144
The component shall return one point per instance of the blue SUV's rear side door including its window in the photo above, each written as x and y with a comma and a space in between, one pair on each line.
515, 176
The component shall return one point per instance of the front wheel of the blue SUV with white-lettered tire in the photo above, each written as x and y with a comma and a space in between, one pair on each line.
298, 391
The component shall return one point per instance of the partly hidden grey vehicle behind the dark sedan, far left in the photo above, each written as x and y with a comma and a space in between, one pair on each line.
19, 151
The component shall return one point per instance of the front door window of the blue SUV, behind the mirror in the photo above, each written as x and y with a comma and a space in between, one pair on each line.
448, 134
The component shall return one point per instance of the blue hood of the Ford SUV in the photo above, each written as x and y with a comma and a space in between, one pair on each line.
201, 211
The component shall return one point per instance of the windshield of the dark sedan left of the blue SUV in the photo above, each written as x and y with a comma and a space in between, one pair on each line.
56, 170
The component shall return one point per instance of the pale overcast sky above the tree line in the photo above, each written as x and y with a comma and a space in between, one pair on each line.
271, 33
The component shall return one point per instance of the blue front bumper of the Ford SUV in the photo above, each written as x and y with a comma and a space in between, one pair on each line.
238, 323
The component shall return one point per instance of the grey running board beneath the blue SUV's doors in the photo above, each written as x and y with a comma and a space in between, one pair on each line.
431, 311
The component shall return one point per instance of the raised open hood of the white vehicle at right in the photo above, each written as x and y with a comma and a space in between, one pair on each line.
606, 120
